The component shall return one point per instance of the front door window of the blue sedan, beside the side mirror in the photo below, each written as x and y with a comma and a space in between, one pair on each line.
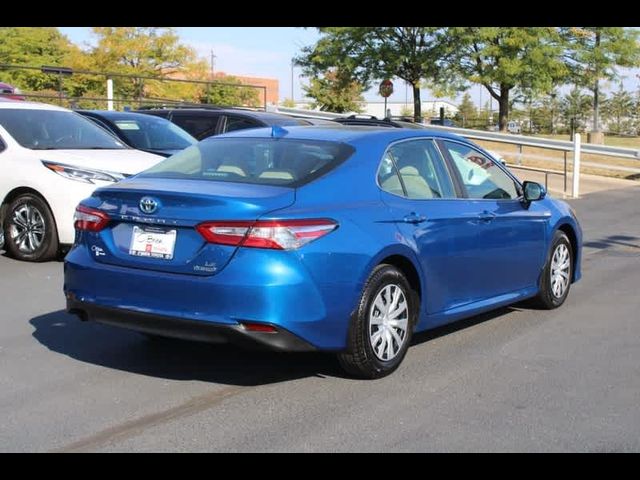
481, 177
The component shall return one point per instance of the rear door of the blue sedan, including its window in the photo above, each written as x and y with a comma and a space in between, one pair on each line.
425, 205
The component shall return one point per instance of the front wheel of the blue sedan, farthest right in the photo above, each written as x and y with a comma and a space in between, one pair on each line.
558, 272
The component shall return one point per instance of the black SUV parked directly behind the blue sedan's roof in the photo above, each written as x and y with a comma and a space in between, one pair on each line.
204, 122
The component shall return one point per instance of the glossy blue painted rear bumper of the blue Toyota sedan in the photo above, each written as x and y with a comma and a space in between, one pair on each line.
267, 287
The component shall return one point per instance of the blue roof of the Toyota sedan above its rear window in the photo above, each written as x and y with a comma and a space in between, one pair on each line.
339, 133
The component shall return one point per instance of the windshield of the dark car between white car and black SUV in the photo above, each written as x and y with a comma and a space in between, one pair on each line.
153, 133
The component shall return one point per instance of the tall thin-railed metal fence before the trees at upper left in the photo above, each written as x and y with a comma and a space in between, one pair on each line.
90, 89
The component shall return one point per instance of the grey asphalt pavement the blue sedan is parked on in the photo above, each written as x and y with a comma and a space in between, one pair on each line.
513, 380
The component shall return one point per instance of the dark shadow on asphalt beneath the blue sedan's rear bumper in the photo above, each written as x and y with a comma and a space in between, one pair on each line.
130, 351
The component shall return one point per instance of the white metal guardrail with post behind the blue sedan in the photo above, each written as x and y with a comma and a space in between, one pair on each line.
575, 147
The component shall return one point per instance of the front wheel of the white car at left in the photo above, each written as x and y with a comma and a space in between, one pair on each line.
30, 230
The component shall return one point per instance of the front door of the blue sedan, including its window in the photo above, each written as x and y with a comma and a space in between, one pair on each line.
511, 235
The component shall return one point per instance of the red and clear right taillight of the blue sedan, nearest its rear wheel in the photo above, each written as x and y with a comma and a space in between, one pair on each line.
274, 234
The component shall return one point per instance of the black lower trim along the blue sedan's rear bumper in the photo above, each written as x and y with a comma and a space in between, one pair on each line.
185, 329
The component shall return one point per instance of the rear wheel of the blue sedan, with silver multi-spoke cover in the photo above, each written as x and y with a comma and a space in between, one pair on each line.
382, 325
